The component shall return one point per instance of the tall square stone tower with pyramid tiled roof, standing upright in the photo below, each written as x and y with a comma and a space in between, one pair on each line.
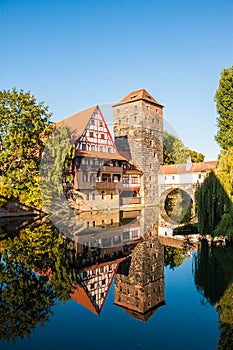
138, 131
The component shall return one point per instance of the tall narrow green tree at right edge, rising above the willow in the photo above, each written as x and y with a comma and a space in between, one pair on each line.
224, 104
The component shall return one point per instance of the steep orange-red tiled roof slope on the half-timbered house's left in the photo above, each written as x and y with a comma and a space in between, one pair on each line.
78, 121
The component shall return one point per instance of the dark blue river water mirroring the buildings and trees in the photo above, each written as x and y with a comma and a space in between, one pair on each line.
58, 294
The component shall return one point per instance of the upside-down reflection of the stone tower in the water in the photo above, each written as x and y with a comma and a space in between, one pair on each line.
139, 283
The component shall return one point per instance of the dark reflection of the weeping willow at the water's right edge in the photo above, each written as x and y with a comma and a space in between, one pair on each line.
213, 269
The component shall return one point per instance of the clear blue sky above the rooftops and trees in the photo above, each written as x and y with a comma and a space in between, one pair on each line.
74, 54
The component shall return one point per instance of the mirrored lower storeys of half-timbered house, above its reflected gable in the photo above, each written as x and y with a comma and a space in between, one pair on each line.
104, 239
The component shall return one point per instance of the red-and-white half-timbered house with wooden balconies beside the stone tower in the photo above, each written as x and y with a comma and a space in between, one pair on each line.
104, 177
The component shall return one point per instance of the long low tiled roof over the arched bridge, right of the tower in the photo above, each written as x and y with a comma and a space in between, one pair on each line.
188, 168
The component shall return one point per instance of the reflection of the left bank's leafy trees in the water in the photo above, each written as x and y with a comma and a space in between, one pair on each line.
33, 272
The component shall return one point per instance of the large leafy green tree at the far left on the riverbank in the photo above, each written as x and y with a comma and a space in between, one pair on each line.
24, 128
